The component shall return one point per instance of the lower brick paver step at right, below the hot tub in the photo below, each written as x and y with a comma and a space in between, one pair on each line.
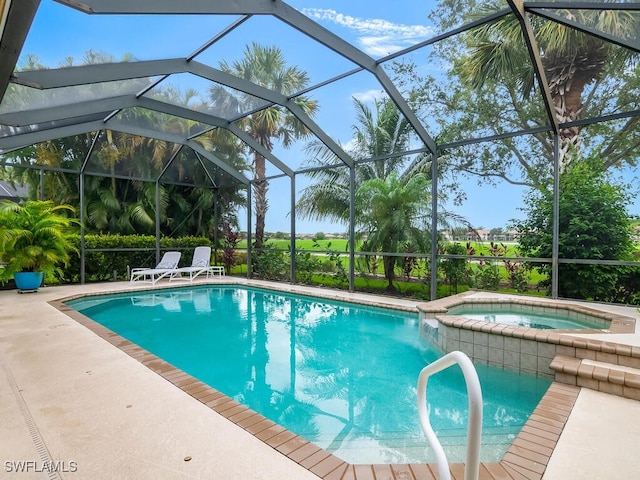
613, 378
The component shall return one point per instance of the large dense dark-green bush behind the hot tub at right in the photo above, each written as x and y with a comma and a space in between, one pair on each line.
594, 224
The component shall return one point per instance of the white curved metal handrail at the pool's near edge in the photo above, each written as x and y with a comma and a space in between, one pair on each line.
474, 430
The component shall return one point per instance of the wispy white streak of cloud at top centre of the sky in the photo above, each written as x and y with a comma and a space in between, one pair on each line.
377, 37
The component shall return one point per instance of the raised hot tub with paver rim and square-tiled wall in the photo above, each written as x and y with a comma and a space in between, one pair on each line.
513, 344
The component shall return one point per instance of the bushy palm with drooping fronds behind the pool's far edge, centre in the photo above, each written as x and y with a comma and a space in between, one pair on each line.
393, 203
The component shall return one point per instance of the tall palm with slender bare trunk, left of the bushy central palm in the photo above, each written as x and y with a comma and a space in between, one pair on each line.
266, 66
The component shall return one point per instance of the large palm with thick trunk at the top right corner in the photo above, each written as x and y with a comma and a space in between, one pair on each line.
571, 59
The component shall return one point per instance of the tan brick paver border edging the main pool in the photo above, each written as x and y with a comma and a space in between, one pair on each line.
527, 457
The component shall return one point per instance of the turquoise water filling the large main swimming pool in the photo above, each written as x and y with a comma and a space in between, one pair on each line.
342, 376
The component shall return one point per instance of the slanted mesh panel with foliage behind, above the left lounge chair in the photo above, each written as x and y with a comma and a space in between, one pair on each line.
129, 156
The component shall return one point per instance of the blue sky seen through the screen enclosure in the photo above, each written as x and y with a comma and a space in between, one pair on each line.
374, 26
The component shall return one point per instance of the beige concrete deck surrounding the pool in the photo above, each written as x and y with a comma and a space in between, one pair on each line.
70, 398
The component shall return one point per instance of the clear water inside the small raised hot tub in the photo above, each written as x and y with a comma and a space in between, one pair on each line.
520, 318
